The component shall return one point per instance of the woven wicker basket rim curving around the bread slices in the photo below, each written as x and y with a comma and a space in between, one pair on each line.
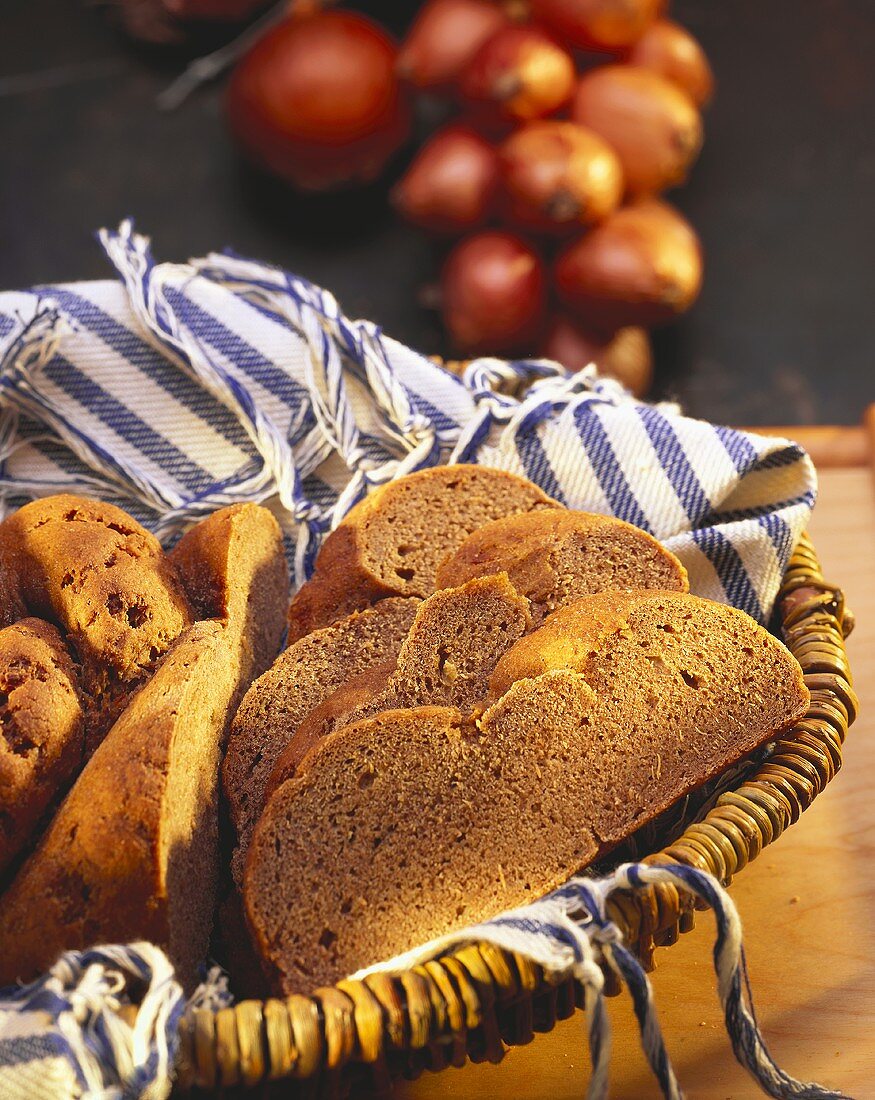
477, 1002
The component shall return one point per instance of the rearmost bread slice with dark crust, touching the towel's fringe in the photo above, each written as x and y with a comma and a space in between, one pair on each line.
393, 542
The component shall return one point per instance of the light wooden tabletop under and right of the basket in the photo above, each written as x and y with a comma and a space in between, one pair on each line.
808, 907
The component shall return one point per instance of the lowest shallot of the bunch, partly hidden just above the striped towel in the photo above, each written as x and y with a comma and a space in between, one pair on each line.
626, 356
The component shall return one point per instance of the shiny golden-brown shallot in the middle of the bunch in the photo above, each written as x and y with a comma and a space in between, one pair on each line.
559, 175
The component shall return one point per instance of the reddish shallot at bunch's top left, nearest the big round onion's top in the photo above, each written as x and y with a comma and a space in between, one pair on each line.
445, 37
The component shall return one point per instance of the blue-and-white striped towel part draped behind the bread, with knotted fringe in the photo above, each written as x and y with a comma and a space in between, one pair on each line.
185, 388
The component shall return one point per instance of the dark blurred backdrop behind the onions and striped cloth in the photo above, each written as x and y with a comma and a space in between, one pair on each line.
782, 196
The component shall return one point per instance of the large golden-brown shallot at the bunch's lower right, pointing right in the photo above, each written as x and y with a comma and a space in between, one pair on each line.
641, 267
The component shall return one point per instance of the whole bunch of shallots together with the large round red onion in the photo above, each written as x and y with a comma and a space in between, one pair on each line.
572, 118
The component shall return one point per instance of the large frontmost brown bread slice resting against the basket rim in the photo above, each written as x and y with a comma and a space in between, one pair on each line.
412, 823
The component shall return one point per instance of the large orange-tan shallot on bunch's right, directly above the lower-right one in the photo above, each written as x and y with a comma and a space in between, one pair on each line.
654, 127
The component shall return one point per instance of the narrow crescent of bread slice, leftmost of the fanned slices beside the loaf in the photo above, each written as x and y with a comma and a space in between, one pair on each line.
301, 678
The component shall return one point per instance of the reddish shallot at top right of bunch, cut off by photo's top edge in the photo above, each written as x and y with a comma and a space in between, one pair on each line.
604, 26
